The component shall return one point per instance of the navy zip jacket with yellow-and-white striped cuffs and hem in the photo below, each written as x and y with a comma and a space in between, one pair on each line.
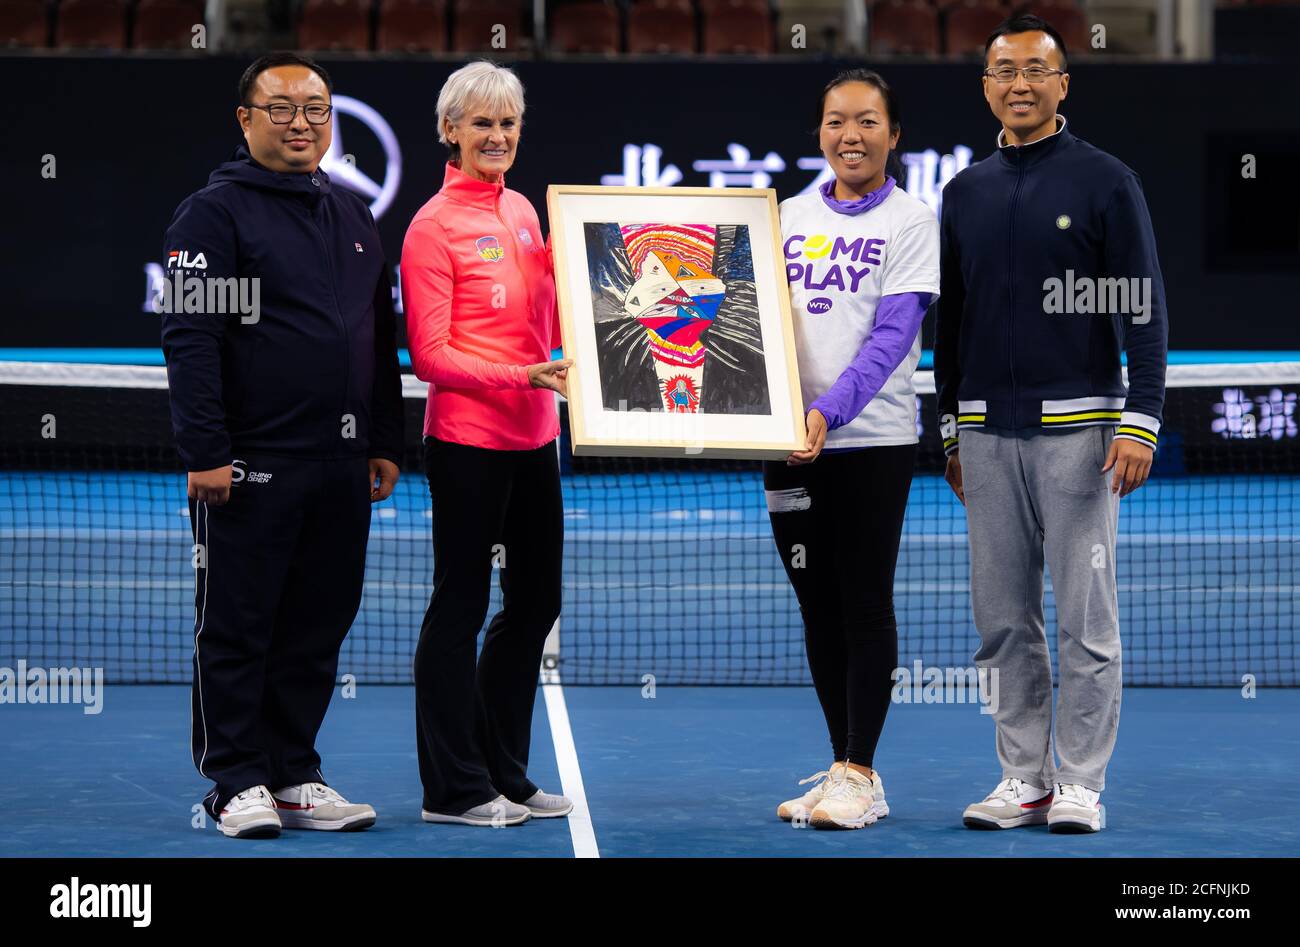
1032, 239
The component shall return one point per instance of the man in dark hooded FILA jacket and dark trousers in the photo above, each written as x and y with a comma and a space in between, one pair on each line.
287, 404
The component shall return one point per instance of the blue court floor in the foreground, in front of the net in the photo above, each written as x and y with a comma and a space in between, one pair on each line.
695, 772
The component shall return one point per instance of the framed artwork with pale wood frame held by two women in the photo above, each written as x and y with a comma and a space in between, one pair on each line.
675, 310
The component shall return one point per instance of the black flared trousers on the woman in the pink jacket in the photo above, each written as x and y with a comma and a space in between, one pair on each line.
492, 509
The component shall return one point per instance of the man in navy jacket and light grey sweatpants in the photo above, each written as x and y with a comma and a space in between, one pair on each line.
1050, 271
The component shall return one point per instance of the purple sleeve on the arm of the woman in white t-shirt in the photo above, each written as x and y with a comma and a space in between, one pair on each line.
898, 323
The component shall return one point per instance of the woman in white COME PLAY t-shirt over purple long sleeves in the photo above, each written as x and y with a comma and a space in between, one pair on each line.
863, 262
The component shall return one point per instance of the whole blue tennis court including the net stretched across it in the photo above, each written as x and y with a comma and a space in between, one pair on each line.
678, 707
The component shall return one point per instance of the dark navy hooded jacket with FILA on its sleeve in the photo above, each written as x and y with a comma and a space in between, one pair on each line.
317, 374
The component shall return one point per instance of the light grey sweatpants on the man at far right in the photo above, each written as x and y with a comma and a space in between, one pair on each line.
1032, 498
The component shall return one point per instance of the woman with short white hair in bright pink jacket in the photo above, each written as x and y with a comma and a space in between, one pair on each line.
482, 322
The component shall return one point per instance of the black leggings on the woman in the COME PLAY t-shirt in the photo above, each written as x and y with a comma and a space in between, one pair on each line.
838, 524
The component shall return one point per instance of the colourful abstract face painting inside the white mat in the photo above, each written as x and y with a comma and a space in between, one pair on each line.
677, 318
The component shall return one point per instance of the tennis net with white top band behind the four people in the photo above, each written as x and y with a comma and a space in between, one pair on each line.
670, 568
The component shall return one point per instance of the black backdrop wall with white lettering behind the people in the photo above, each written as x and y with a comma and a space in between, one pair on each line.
132, 137
